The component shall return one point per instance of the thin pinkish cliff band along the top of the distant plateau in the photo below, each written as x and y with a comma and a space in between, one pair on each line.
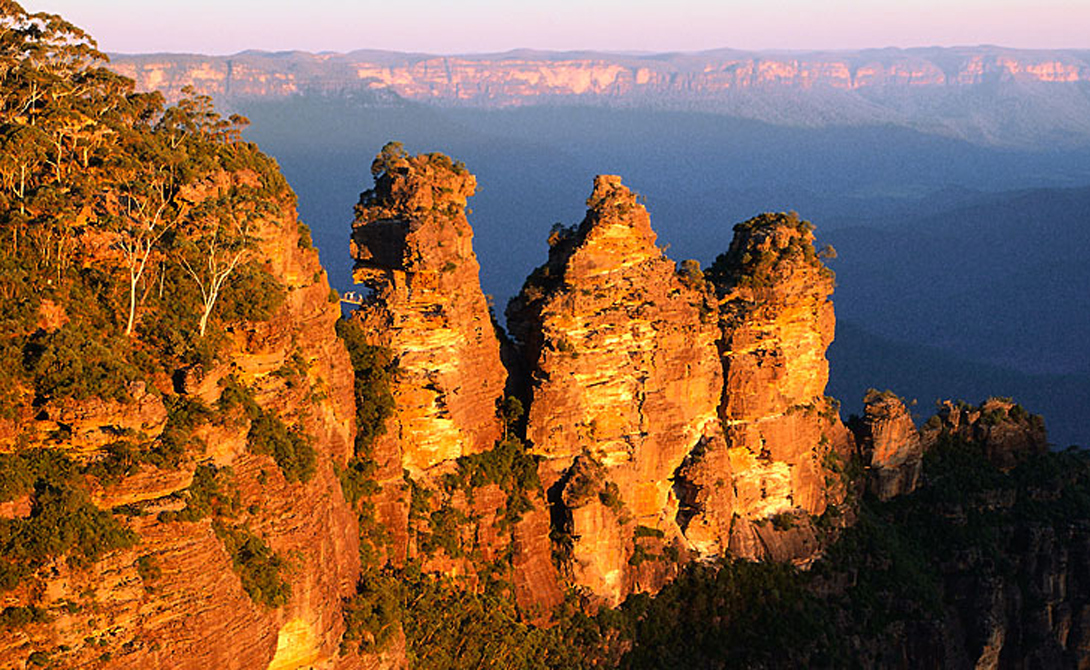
516, 77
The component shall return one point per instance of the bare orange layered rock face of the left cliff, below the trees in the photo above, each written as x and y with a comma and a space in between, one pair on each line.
175, 598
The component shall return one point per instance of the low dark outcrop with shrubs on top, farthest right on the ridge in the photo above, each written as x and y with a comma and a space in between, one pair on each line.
1007, 432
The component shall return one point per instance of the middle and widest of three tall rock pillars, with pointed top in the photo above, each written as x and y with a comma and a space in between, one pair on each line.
625, 376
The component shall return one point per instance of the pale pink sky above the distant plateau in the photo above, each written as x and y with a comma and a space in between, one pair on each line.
467, 27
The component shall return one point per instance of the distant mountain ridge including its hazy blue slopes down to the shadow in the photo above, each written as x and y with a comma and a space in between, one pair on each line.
987, 95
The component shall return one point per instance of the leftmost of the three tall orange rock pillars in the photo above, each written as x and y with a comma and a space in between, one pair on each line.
414, 249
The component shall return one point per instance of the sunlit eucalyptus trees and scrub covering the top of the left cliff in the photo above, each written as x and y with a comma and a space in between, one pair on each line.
127, 228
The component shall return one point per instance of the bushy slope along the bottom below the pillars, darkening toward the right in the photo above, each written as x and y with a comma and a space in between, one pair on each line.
883, 590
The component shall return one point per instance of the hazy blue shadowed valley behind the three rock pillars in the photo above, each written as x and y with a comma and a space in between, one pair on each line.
968, 251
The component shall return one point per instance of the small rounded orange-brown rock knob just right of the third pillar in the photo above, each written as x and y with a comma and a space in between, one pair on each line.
890, 445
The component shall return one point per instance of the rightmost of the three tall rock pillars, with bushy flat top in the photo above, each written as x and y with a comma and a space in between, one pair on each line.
785, 437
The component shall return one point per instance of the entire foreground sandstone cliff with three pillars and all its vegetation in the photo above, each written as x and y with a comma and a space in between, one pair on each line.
192, 493
